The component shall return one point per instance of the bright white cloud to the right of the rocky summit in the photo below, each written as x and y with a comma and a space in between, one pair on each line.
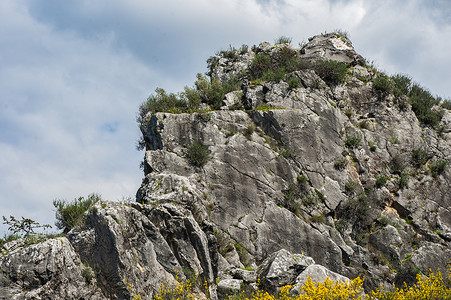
403, 37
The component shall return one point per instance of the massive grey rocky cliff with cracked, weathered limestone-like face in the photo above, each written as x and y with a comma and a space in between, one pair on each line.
315, 164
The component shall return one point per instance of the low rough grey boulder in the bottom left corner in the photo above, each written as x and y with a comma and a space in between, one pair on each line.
48, 270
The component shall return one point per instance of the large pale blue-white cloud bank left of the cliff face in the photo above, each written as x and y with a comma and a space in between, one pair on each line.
61, 96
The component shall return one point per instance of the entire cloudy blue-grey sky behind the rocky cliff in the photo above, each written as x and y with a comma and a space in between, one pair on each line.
73, 73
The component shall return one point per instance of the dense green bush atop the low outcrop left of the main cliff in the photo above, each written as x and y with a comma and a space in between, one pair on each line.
71, 214
